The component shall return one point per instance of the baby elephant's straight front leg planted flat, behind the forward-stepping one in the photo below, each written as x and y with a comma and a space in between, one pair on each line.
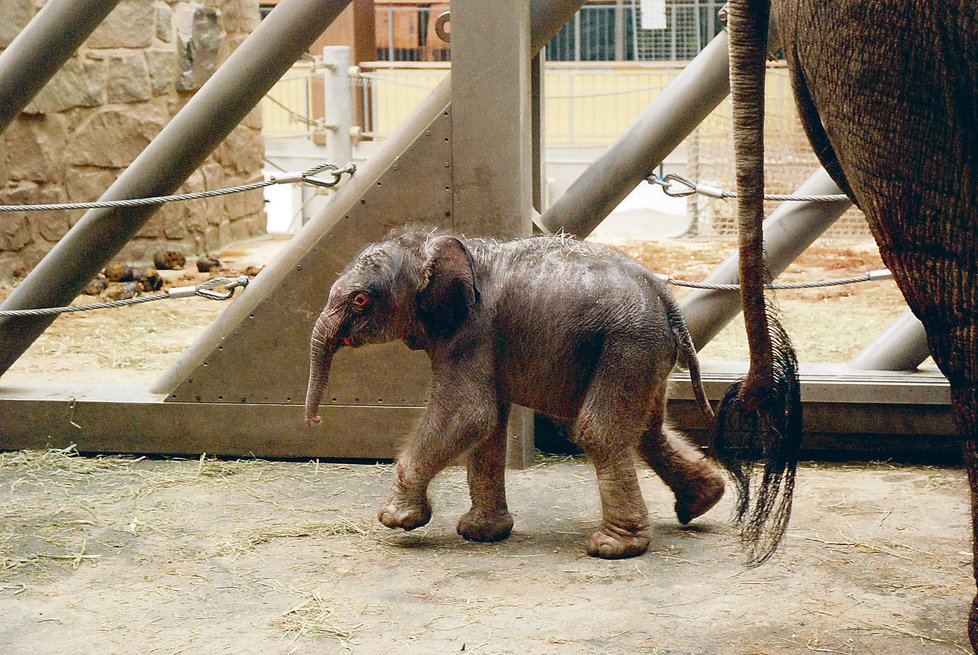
489, 518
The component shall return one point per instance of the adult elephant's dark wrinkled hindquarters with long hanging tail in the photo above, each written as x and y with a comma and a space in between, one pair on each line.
888, 94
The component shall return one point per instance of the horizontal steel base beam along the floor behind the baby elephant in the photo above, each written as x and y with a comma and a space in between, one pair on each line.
874, 414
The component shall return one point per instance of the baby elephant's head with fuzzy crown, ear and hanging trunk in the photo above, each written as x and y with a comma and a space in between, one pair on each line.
415, 285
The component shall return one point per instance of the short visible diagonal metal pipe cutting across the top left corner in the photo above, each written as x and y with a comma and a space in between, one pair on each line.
42, 48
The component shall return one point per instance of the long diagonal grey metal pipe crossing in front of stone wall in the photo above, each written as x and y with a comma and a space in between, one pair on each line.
226, 98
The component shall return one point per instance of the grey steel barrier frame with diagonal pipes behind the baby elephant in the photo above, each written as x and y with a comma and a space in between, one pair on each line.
468, 159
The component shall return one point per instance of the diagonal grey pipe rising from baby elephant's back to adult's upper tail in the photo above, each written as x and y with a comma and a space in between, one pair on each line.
690, 98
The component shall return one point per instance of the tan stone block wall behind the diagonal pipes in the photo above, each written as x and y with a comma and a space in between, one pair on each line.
104, 107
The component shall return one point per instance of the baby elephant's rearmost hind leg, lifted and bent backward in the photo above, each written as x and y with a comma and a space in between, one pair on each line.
694, 479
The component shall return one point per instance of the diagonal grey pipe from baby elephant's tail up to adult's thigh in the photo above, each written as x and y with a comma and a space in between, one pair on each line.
790, 229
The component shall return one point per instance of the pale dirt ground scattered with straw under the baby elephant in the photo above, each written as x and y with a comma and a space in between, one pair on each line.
124, 555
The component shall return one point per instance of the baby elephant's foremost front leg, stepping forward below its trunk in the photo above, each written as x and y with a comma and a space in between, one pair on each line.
445, 433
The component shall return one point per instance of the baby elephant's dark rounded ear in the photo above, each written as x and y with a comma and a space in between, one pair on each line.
448, 288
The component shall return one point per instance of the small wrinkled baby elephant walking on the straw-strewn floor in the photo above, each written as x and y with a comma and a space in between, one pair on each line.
571, 330
